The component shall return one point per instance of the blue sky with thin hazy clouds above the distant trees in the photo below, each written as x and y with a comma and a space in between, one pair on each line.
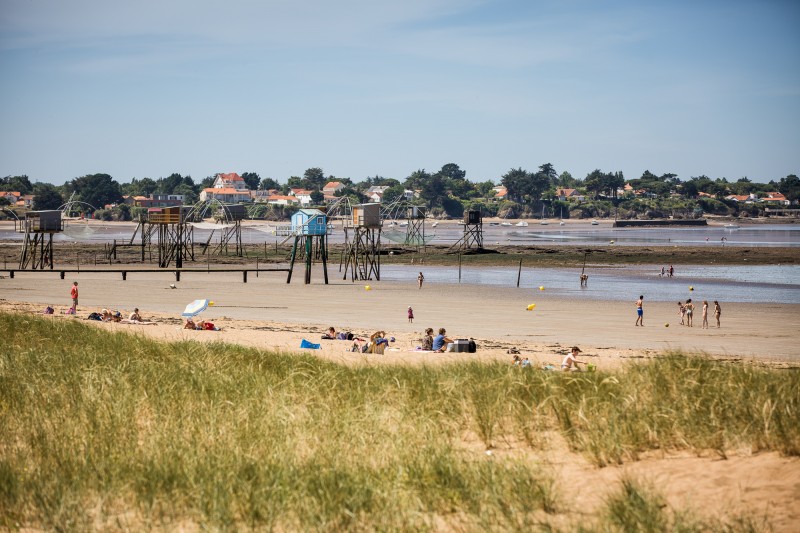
368, 87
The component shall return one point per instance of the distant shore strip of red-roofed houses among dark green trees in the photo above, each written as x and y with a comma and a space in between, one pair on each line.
446, 193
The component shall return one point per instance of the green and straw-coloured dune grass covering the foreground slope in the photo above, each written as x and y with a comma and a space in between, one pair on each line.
116, 431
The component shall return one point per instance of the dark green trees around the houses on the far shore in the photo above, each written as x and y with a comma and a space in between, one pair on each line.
446, 191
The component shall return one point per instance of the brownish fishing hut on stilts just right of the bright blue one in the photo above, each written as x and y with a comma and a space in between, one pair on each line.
362, 256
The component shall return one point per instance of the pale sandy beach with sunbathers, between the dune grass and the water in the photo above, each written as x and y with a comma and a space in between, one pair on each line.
268, 313
